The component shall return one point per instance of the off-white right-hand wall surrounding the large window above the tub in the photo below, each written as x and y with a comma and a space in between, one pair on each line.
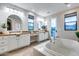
60, 24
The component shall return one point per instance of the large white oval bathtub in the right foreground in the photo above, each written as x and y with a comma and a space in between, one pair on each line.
63, 47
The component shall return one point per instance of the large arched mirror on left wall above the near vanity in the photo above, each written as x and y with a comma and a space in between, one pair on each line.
14, 23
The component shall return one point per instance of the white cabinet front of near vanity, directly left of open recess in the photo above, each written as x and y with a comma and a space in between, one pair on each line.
23, 40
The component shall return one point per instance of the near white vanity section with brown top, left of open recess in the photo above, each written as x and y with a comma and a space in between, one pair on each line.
12, 41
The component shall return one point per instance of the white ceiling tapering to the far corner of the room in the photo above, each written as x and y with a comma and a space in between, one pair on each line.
45, 9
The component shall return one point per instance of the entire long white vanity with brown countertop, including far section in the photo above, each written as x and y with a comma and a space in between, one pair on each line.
14, 40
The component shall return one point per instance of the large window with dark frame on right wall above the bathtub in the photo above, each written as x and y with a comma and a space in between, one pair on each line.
70, 22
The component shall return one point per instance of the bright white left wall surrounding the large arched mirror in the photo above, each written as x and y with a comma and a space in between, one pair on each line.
4, 15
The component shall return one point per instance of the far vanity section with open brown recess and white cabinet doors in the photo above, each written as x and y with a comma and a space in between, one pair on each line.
38, 36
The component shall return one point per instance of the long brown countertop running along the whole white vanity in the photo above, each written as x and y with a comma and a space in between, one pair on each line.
8, 33
